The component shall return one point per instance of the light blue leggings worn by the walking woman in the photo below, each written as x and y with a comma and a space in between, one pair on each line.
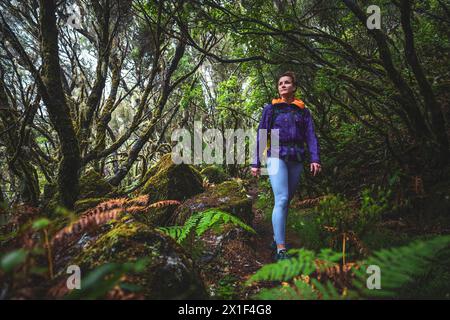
284, 177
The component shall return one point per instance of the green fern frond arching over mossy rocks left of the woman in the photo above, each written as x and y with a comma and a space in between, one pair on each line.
200, 222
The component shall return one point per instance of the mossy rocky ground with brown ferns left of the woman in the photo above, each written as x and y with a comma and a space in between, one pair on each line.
107, 230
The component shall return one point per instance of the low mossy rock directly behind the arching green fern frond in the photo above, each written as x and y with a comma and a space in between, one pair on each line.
229, 196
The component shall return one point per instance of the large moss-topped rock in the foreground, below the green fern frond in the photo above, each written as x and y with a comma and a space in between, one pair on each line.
169, 274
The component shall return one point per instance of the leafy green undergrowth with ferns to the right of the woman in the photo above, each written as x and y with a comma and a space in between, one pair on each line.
412, 250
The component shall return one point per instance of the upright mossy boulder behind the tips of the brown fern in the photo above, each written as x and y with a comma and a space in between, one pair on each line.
170, 181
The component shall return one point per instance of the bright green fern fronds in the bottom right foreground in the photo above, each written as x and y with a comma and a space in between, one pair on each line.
399, 267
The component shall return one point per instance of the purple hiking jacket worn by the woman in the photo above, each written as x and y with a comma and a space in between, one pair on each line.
295, 126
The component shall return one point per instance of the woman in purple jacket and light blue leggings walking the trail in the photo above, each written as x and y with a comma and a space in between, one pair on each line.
295, 124
